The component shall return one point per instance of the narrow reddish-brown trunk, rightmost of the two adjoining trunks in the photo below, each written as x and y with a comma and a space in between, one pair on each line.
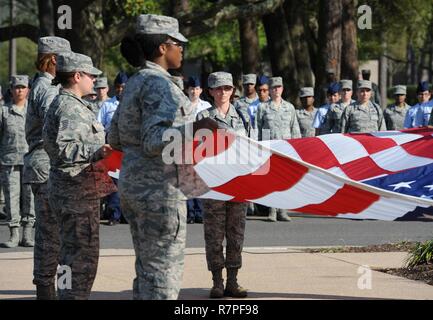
349, 57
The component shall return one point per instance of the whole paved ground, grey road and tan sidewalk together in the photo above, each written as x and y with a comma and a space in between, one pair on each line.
274, 266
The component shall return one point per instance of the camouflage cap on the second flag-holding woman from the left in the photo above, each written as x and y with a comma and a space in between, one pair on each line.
72, 62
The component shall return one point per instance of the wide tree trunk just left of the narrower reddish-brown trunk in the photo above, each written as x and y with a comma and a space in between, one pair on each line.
330, 21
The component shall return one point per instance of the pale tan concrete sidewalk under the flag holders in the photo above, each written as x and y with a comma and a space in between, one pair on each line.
268, 273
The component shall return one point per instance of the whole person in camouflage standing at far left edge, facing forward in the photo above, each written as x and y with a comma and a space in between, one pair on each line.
13, 146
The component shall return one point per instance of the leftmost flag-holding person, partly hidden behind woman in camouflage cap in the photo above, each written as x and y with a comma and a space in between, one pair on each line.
36, 167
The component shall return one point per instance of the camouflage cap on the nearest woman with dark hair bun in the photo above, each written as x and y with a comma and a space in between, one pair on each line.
156, 24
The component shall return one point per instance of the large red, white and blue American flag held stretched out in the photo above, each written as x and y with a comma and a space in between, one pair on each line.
383, 175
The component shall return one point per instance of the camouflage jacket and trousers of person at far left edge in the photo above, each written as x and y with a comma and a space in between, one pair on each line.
13, 146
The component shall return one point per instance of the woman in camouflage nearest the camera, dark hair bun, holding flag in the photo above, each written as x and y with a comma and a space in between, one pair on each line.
152, 202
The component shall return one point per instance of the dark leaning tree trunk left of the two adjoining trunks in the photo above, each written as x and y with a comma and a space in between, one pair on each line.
295, 17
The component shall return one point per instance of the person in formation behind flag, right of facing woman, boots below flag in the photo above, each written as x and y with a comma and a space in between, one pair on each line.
276, 119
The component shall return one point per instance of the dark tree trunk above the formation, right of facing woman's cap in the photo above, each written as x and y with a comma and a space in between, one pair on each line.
249, 39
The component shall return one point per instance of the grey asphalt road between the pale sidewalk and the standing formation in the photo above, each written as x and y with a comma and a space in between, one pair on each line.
302, 231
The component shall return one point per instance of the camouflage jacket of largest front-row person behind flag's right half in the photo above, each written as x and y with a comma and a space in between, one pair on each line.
362, 118
